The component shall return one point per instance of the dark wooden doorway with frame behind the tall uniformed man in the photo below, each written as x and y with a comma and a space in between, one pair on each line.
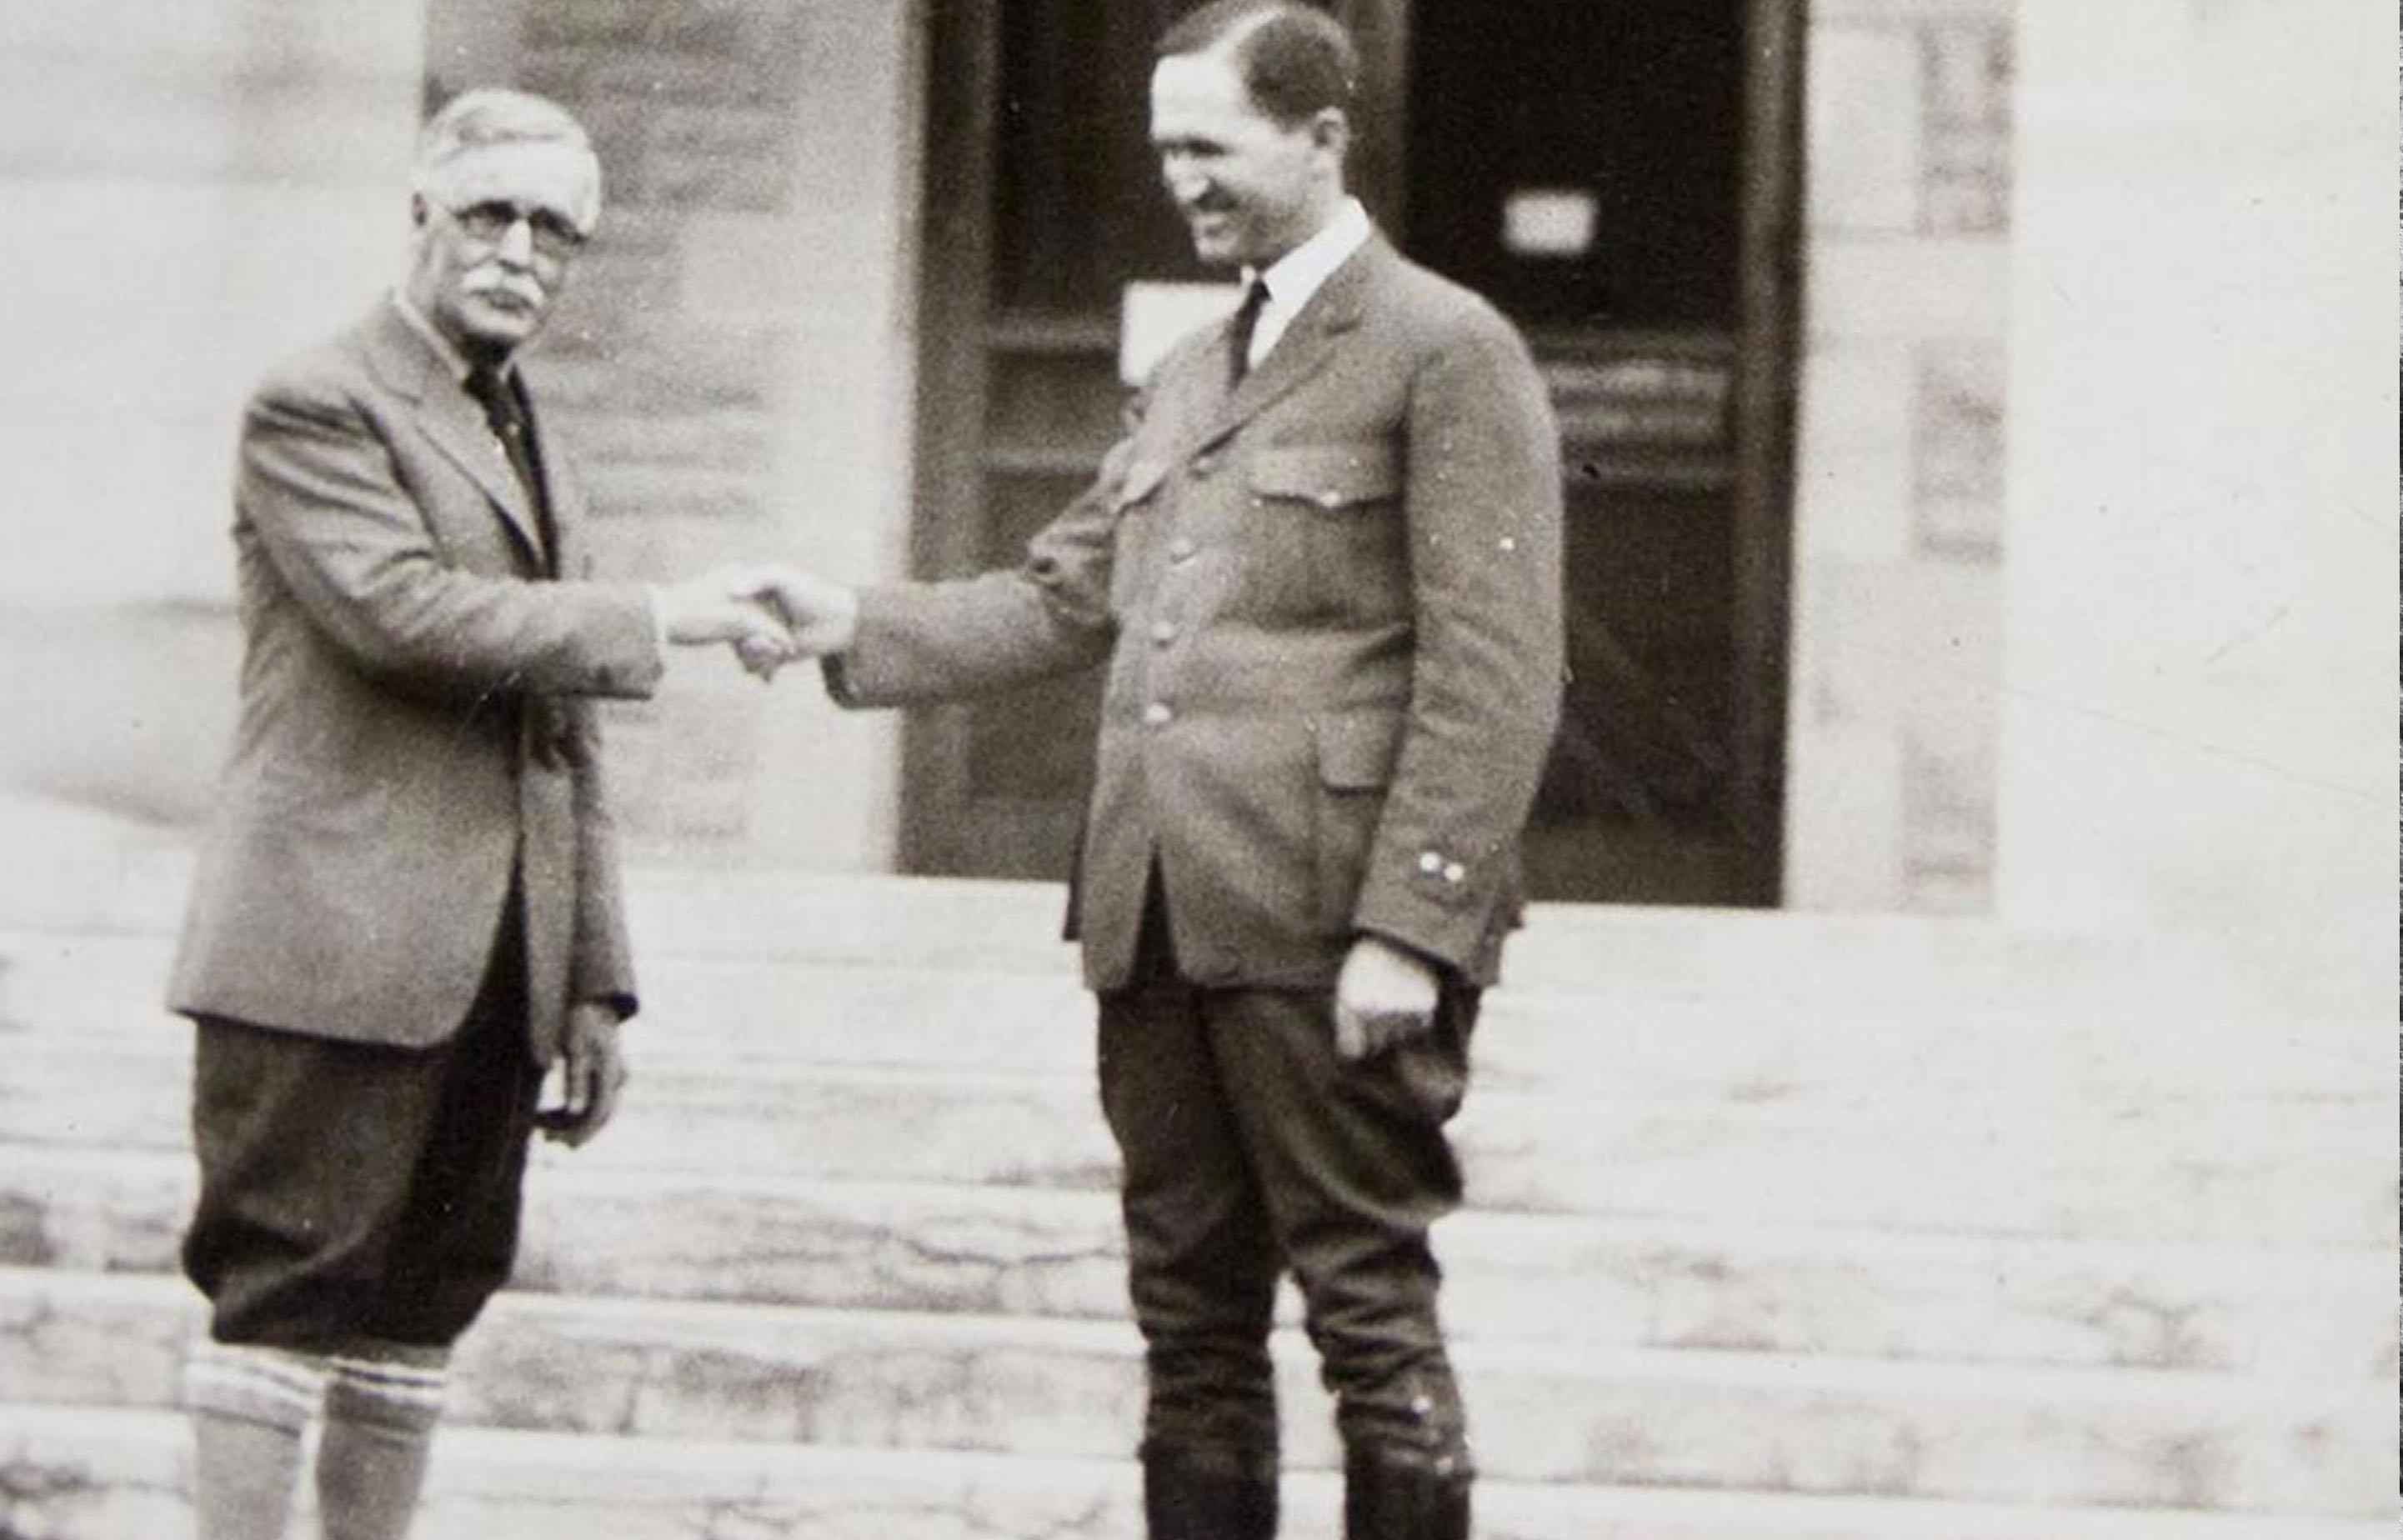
1618, 177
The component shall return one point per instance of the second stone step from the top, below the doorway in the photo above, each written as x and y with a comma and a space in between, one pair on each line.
1604, 1037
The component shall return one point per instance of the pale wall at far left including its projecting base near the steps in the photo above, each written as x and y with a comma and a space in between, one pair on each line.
186, 193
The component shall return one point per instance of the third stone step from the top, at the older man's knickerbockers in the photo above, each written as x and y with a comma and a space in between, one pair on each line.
2183, 1171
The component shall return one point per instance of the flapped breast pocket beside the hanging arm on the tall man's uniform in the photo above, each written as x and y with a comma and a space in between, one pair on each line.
1332, 515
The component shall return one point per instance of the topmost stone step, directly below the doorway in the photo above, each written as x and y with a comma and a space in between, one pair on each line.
133, 883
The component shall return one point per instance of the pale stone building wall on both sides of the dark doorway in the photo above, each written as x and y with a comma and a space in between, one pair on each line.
737, 364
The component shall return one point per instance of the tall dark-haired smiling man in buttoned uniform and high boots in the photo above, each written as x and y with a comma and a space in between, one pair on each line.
1325, 573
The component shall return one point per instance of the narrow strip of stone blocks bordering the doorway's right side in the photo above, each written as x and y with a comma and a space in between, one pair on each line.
1900, 489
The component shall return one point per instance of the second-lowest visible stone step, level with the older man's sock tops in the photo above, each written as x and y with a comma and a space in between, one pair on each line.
1715, 1421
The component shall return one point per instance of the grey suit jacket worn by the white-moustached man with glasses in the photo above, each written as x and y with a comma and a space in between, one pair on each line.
410, 717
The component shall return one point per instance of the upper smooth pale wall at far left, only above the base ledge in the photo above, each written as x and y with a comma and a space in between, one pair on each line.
186, 193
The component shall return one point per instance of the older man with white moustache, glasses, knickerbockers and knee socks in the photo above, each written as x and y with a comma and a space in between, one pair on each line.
407, 907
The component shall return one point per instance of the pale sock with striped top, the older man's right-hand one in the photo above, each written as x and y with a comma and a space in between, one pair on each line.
378, 1431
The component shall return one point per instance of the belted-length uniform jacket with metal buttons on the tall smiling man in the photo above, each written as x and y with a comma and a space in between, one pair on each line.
1330, 607
